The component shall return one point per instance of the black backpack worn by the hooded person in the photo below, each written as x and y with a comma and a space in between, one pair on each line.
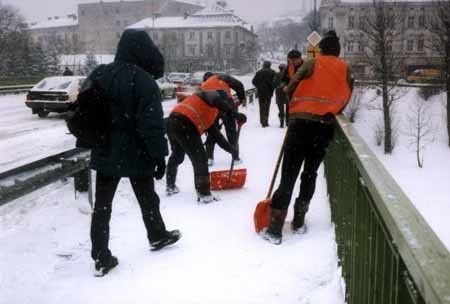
89, 117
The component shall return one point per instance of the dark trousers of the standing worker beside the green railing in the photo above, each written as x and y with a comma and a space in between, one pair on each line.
306, 143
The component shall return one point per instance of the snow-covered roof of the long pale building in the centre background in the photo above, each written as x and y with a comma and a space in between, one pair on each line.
213, 16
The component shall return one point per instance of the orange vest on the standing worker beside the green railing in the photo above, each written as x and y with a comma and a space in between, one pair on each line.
325, 91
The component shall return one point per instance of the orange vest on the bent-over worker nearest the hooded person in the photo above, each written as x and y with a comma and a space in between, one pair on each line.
201, 114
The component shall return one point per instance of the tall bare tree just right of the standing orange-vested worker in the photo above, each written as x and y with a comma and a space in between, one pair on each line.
381, 29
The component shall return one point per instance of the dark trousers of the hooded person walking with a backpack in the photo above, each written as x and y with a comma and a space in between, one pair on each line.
148, 200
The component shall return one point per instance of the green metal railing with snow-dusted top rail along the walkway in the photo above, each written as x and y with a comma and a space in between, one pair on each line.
387, 251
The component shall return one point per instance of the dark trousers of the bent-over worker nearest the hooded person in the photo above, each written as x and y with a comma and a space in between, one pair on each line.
185, 139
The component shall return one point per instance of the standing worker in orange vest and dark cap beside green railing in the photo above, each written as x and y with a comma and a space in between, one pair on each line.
320, 89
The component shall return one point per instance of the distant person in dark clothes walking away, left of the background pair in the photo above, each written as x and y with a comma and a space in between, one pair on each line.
263, 81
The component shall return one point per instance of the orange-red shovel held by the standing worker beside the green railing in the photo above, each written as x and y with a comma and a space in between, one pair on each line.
261, 216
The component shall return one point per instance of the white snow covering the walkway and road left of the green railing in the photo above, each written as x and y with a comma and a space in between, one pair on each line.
45, 243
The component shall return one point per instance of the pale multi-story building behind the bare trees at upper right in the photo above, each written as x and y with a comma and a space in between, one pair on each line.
415, 44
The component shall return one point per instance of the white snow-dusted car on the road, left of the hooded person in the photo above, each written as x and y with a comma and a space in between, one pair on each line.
53, 94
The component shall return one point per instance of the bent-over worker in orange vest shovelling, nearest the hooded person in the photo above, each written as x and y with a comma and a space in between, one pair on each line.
188, 120
